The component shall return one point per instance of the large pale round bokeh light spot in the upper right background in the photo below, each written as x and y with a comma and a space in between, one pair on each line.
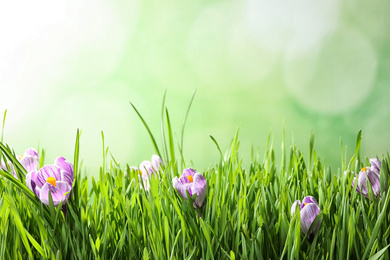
334, 76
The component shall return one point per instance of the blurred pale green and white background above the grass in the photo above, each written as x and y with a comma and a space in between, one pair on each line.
314, 65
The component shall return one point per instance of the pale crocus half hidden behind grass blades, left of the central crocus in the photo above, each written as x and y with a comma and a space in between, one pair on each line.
147, 169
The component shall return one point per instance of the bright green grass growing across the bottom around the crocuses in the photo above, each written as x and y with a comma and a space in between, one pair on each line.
246, 214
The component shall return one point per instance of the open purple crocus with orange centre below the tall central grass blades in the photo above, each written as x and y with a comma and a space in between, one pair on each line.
193, 182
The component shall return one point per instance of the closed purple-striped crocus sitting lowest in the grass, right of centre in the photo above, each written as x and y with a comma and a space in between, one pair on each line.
309, 210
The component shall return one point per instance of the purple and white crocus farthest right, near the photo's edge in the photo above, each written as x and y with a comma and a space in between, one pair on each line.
372, 173
